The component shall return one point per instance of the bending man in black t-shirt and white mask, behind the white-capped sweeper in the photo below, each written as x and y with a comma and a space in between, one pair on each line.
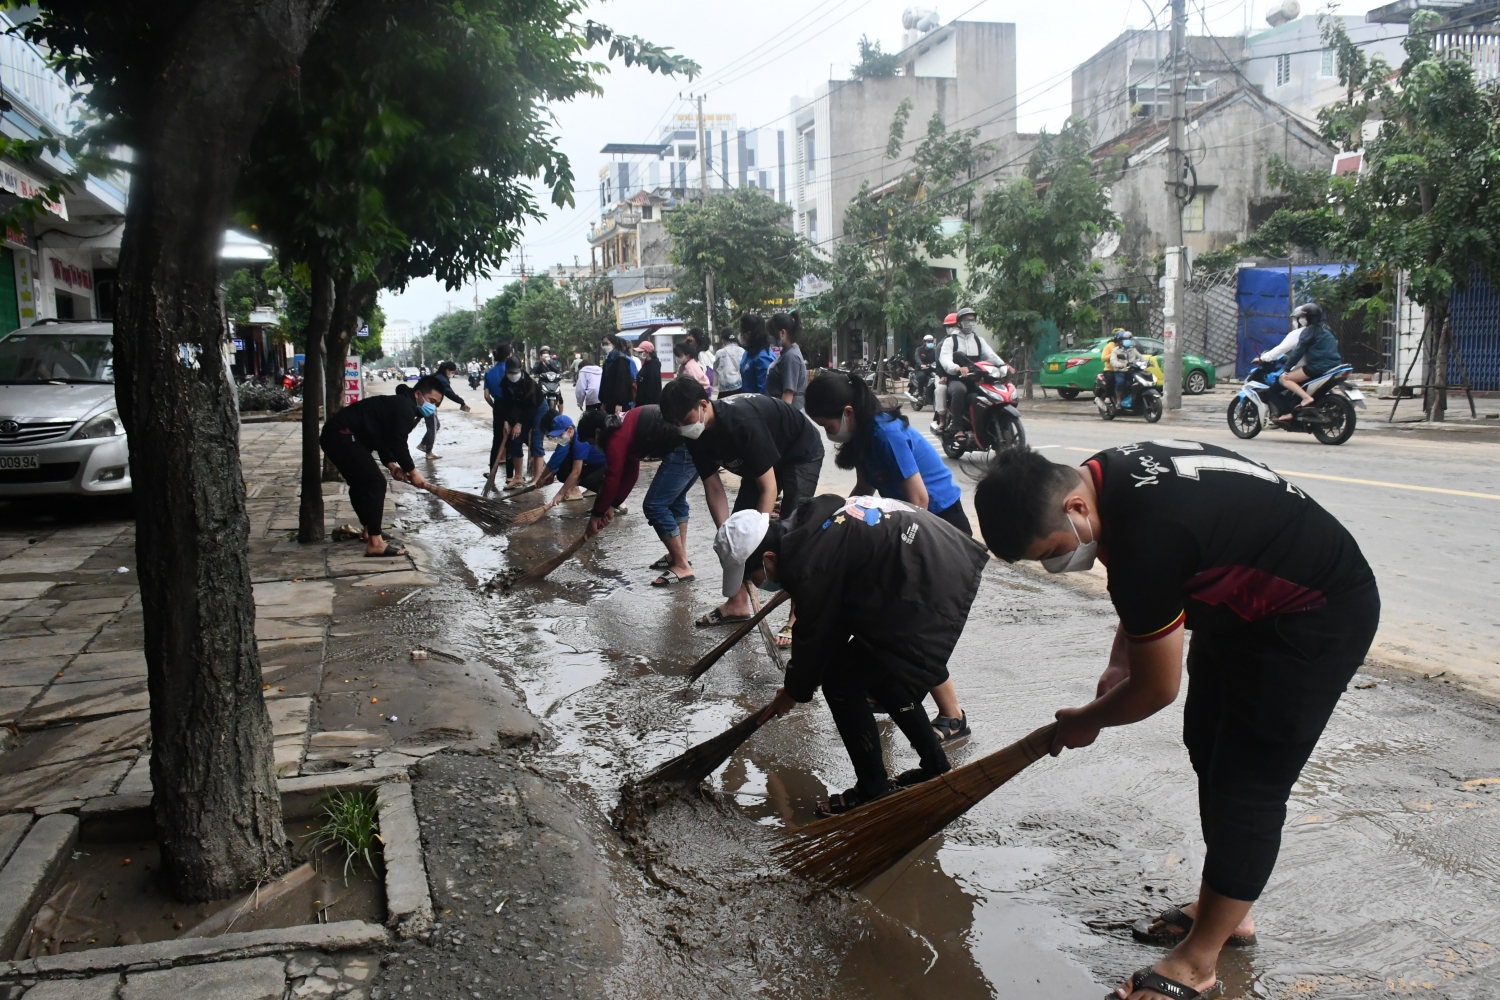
769, 445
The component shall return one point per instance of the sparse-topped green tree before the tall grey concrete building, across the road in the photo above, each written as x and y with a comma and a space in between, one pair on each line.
881, 272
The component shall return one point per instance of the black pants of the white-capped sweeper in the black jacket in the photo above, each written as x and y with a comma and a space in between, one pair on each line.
899, 687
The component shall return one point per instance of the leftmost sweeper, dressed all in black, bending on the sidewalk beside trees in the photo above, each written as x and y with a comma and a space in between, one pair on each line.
380, 425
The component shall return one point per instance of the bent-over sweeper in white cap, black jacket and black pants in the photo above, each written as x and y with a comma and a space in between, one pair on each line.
883, 593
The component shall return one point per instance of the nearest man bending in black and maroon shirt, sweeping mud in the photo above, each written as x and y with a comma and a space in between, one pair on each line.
1282, 606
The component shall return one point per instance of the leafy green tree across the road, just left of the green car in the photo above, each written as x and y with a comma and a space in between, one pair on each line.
1031, 256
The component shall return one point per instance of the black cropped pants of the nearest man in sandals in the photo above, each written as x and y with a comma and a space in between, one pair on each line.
1259, 698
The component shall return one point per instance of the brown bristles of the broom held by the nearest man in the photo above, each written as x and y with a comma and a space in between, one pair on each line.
857, 846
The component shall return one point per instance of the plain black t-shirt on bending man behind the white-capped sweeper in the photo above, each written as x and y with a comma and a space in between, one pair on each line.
754, 434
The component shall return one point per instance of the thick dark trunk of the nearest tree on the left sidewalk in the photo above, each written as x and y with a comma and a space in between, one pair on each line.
218, 813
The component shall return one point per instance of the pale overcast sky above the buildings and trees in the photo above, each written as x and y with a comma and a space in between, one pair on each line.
757, 56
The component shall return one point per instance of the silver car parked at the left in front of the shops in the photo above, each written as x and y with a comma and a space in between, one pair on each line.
59, 427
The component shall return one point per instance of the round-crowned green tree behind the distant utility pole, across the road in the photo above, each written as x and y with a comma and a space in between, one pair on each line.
745, 239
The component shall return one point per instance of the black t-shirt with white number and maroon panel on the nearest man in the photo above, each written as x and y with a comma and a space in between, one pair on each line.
1196, 534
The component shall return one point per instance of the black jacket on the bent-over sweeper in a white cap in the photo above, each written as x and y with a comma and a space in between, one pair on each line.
881, 570
